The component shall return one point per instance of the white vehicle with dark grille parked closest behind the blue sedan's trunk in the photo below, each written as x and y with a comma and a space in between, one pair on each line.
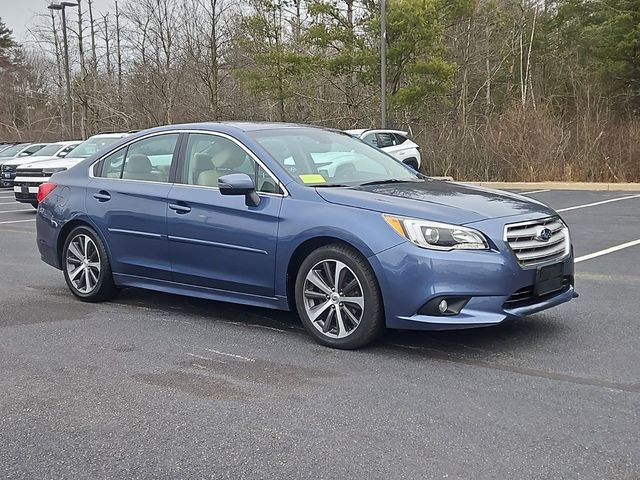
29, 176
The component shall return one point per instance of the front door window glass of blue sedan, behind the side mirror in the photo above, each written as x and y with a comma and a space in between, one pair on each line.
209, 157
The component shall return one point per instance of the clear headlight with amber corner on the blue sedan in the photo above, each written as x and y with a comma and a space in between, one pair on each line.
437, 236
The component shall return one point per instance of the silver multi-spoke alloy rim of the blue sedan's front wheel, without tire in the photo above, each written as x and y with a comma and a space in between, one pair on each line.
333, 298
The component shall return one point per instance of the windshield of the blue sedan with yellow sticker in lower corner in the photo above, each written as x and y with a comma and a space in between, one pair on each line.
324, 158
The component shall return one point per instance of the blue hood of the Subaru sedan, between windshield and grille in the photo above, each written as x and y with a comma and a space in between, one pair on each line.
436, 200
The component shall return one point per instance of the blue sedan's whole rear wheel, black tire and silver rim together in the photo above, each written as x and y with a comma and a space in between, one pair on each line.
100, 286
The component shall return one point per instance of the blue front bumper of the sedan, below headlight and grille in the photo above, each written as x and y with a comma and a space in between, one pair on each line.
410, 276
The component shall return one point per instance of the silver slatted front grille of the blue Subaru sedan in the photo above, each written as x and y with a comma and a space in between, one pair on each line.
529, 250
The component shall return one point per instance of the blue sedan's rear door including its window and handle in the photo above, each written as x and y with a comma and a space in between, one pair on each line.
127, 200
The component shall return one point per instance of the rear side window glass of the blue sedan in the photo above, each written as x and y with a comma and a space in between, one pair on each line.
148, 160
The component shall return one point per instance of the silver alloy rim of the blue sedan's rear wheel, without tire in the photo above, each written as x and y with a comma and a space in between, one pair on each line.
83, 263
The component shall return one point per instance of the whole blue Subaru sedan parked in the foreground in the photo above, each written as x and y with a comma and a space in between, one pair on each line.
297, 217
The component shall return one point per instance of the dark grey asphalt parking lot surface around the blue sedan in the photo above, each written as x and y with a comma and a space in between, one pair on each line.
159, 386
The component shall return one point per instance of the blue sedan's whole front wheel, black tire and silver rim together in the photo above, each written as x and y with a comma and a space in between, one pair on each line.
334, 325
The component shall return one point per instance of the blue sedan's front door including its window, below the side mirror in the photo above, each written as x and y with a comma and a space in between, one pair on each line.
217, 241
